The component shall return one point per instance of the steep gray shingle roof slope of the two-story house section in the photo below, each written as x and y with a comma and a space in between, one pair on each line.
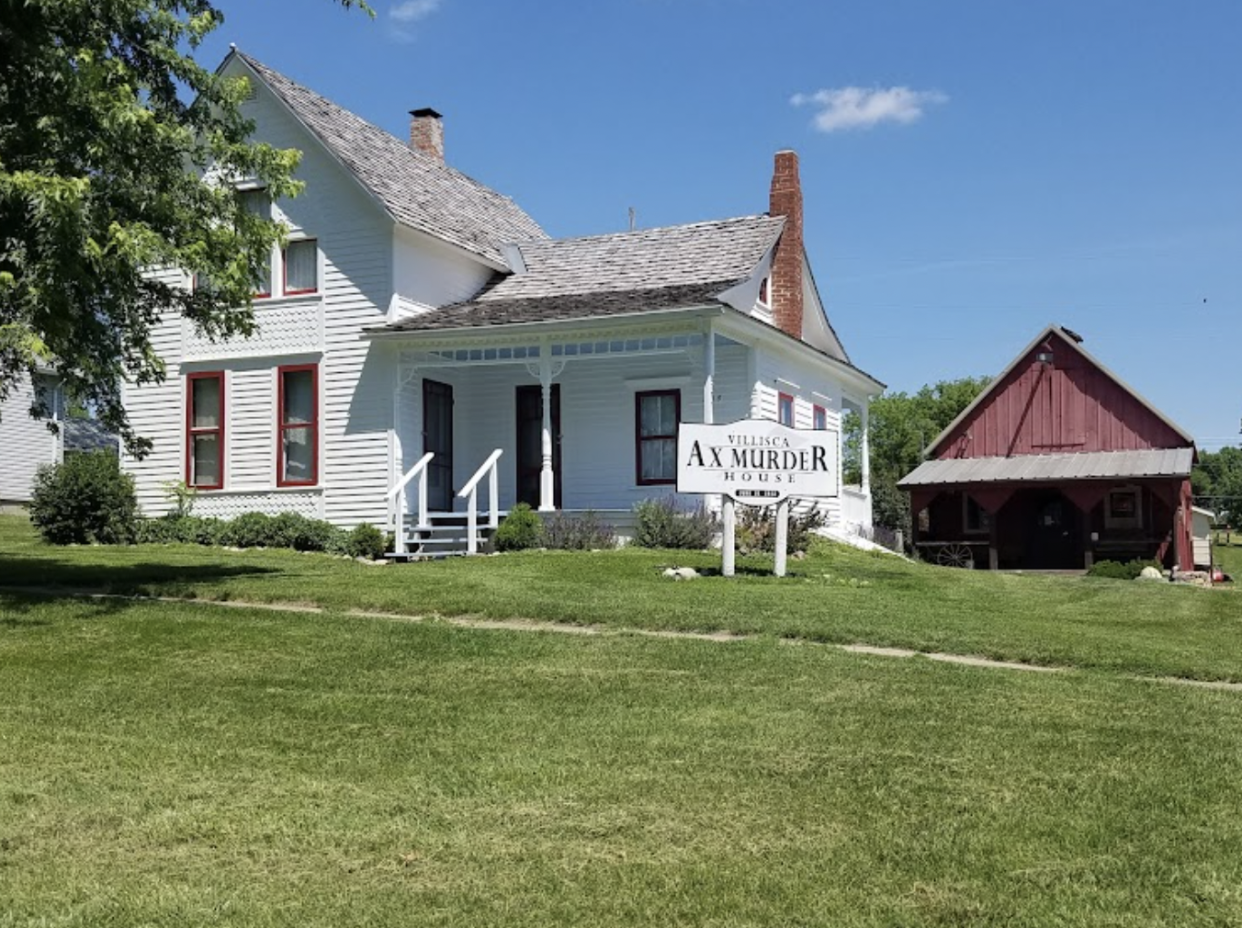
417, 189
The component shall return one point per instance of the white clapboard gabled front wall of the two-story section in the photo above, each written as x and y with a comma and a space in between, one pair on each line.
356, 386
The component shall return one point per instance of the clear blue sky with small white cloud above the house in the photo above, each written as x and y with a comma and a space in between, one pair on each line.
973, 170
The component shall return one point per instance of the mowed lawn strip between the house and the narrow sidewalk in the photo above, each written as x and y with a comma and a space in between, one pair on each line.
836, 596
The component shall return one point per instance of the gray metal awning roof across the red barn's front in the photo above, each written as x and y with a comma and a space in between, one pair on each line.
1027, 469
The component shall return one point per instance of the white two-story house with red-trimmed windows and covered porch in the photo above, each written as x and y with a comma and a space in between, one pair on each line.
417, 312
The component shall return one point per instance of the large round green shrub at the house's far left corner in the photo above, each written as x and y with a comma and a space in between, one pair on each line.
85, 500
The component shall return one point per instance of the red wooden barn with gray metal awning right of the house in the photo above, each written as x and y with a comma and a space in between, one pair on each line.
1056, 465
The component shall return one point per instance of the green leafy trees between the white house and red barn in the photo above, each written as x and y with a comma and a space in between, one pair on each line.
902, 427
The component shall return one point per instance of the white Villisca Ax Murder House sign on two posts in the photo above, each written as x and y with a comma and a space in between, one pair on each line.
757, 463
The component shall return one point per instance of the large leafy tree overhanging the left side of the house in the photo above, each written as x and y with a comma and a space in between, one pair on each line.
112, 145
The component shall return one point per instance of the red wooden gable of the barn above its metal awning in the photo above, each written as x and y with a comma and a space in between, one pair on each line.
1070, 403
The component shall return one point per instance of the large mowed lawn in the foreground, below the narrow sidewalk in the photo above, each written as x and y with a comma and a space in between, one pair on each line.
187, 765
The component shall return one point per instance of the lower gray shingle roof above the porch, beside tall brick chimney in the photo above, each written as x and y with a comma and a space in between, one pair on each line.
610, 275
